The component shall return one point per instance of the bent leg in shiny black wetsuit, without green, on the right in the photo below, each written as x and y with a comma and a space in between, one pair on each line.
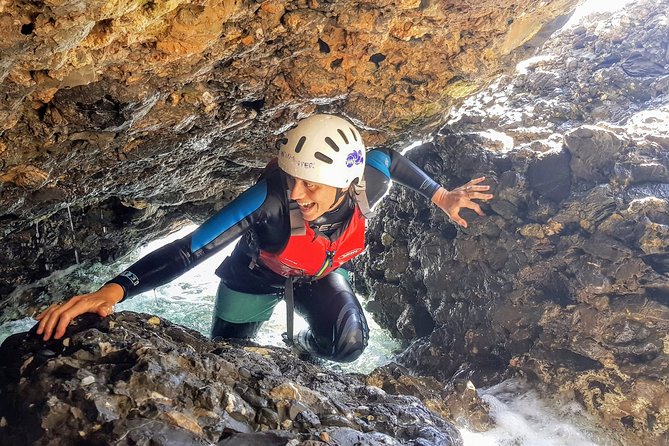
338, 329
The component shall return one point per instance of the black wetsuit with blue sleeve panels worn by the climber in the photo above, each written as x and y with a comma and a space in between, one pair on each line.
261, 216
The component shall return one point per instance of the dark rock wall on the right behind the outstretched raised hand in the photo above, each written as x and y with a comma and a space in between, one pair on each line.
565, 280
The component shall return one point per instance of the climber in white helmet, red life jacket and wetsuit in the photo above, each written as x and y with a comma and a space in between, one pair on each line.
299, 224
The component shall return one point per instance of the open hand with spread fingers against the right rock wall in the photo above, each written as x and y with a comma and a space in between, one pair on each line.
452, 202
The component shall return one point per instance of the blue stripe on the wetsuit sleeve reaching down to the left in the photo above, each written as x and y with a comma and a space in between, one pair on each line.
240, 208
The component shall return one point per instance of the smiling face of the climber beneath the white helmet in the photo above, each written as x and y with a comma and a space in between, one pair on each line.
314, 199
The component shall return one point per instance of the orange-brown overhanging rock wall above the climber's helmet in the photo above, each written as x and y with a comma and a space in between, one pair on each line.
119, 120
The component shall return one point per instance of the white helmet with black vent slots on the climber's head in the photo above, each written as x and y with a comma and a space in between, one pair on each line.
323, 149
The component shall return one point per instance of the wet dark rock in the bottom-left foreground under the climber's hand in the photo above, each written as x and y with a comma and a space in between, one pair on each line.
137, 379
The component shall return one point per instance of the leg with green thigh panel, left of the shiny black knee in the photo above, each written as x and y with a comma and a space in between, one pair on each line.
239, 315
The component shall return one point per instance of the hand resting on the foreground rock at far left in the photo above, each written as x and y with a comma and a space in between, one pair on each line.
54, 320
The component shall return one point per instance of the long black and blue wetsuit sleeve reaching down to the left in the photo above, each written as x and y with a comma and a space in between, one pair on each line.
169, 262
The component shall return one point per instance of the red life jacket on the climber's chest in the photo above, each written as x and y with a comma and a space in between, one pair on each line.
314, 256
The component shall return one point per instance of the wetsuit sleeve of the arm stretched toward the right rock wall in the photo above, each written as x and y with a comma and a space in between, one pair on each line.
384, 165
